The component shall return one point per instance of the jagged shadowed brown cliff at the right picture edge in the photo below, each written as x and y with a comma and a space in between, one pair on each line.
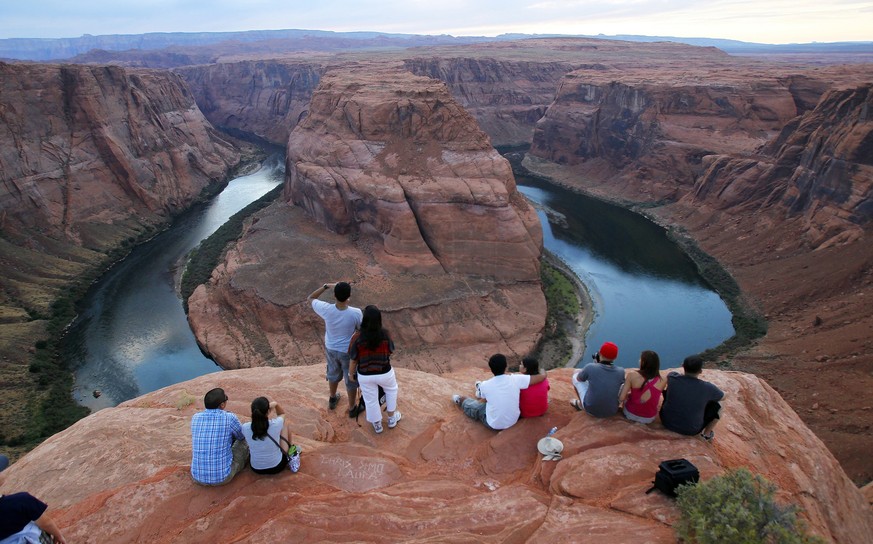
820, 167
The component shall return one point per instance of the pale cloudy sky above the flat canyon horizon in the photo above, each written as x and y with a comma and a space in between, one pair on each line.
762, 21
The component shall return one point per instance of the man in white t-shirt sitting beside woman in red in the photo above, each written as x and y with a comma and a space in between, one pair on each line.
498, 408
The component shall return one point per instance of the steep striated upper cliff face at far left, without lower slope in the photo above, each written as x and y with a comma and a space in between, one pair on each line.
86, 147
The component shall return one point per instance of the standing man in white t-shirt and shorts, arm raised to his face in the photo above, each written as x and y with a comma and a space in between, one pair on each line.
340, 323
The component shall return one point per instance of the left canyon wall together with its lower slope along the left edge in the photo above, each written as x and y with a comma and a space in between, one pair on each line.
91, 158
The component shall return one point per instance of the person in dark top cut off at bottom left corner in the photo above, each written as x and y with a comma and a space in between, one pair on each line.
23, 516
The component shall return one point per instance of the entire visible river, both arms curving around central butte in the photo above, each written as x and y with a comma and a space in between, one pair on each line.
132, 336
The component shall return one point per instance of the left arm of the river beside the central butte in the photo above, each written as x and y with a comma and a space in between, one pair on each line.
132, 336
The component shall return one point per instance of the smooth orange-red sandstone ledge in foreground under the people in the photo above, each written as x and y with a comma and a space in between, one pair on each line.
122, 474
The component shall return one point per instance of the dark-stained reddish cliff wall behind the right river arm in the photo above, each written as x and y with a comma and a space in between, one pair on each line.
654, 126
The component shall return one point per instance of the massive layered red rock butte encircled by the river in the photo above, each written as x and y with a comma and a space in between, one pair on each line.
392, 186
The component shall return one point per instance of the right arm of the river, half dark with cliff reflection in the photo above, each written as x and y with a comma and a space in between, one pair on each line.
647, 292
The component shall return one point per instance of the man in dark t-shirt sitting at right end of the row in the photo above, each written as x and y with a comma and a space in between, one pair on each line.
691, 405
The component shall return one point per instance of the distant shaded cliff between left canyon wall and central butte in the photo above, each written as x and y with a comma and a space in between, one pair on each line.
266, 98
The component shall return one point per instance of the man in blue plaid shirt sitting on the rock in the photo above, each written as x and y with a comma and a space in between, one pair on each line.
219, 450
